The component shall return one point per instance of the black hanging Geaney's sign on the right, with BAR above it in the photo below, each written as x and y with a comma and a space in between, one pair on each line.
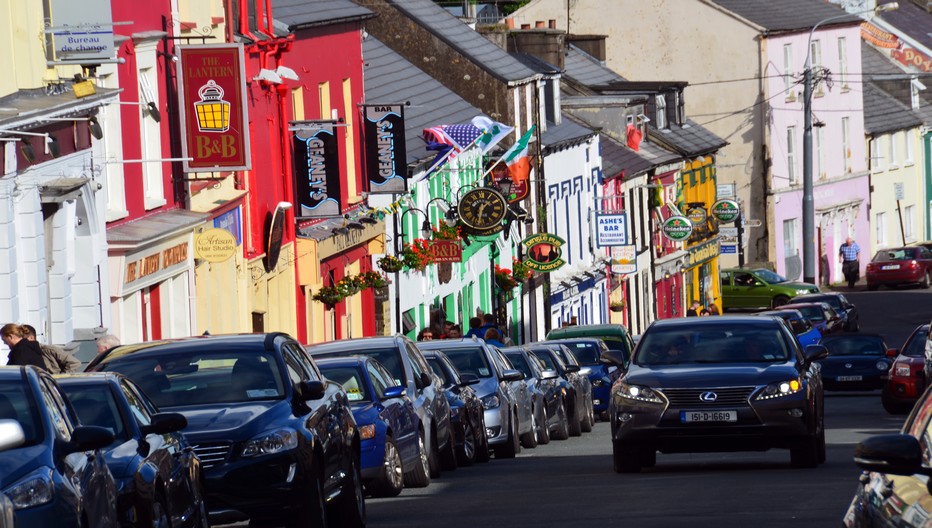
386, 157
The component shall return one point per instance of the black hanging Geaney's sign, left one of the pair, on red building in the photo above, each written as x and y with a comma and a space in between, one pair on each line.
316, 169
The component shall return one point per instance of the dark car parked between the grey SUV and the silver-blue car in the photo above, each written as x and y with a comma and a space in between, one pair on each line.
467, 415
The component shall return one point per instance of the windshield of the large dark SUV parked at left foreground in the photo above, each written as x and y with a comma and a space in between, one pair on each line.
203, 377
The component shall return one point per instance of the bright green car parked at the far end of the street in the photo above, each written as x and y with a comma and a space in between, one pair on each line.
759, 288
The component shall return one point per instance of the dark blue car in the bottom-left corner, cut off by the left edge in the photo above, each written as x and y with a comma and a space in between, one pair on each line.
53, 473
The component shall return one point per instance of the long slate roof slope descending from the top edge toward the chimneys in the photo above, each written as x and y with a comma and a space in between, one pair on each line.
480, 50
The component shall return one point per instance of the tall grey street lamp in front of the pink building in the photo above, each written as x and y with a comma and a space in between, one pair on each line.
809, 251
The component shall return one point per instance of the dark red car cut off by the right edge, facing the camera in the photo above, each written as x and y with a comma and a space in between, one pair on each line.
908, 378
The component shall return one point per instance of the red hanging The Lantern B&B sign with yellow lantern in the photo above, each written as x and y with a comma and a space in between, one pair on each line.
212, 93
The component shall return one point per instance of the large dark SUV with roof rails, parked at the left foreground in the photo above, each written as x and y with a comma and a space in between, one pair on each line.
277, 442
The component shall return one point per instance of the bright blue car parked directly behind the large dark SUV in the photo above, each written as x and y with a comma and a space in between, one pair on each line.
386, 420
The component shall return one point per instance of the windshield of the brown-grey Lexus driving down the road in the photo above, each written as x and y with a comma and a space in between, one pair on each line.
725, 343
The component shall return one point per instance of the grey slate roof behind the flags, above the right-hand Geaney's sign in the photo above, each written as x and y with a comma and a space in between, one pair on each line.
390, 78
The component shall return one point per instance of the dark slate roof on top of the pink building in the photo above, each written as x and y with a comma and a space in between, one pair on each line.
782, 16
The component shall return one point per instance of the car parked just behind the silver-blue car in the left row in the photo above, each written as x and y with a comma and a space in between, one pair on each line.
546, 392
